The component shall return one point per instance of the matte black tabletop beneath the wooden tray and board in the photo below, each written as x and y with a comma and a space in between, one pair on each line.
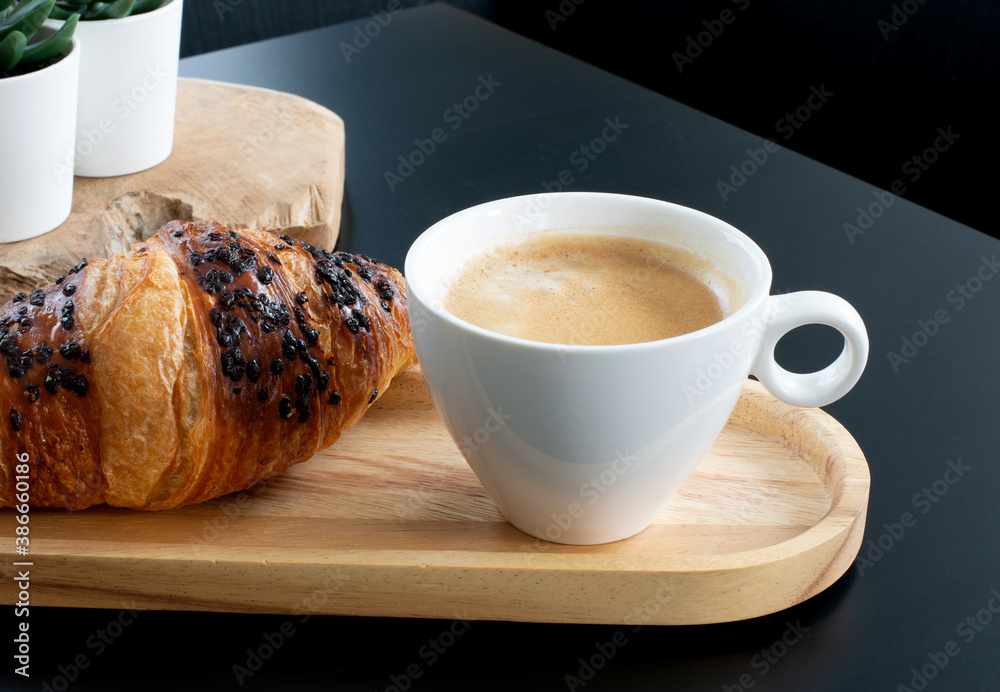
915, 608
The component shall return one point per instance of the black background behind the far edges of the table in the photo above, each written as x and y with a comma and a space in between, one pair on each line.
899, 70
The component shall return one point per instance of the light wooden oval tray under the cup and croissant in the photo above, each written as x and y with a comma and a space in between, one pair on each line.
391, 521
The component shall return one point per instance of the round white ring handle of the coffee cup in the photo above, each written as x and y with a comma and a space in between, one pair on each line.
832, 382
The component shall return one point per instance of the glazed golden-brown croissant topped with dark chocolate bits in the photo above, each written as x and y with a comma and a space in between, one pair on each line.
196, 365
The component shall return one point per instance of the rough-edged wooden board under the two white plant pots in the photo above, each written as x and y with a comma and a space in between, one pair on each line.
242, 156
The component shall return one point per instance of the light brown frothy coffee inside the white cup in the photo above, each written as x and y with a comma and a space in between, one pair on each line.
585, 289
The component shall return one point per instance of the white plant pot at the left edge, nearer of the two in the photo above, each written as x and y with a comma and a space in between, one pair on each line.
37, 125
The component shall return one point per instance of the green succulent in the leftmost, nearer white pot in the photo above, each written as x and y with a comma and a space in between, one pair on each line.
19, 20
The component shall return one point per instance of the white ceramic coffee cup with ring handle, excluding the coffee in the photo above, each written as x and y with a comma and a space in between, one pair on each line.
585, 444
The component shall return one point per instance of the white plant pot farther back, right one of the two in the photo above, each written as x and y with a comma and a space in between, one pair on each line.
128, 92
